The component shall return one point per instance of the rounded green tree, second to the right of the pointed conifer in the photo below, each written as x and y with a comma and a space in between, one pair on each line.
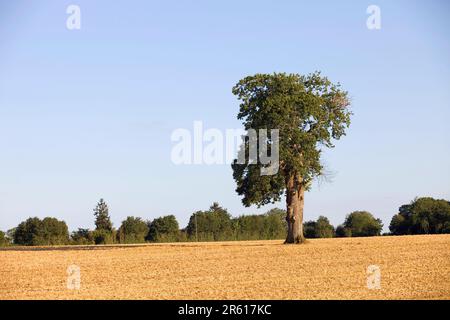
163, 229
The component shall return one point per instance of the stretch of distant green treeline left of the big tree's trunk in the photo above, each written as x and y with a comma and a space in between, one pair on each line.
214, 224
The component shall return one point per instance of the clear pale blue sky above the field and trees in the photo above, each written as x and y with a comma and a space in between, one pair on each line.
88, 113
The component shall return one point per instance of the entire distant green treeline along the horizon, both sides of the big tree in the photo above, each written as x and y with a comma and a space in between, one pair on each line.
421, 216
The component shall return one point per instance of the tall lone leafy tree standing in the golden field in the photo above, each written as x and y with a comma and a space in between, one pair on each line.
309, 112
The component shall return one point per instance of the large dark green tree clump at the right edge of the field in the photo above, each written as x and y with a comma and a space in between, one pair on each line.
422, 216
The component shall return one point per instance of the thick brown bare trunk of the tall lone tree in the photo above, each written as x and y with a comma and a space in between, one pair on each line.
294, 216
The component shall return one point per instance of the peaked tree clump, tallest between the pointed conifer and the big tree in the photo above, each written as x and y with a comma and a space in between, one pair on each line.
212, 225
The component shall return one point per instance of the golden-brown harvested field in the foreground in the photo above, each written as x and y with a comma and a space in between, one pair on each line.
412, 267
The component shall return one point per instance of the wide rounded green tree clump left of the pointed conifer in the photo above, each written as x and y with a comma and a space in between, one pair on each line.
36, 232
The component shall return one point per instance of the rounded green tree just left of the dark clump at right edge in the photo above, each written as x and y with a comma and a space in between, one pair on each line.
363, 224
